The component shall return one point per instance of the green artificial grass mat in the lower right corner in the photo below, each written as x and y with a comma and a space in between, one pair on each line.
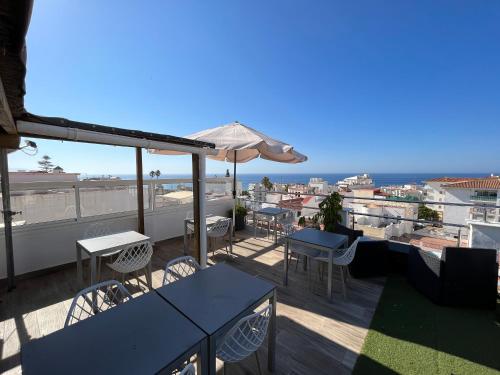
411, 335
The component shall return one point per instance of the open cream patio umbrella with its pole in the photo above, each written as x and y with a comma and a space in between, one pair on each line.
239, 143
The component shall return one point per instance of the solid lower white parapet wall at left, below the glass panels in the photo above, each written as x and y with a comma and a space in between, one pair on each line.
46, 245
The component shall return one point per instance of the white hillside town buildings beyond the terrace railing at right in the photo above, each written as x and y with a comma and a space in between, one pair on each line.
439, 212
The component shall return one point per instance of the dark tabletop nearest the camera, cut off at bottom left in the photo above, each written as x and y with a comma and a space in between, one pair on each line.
142, 336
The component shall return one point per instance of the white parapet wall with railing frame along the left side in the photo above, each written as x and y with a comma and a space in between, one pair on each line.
48, 244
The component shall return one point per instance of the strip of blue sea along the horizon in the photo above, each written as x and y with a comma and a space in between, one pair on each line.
379, 179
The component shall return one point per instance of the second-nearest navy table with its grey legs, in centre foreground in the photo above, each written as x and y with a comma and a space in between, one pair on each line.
216, 298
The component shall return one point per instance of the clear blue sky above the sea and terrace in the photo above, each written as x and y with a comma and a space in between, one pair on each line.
375, 86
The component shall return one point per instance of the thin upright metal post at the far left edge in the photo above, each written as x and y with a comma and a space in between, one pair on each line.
7, 218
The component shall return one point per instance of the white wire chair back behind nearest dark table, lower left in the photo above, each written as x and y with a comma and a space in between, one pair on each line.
95, 299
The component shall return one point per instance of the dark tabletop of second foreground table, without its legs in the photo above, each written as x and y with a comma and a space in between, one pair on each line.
216, 295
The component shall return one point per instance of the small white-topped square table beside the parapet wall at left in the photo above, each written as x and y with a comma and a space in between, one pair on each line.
102, 245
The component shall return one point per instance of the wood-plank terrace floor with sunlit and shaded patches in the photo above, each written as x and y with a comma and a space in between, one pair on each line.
314, 336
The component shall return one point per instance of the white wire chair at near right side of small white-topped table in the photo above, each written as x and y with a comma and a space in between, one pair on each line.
132, 259
